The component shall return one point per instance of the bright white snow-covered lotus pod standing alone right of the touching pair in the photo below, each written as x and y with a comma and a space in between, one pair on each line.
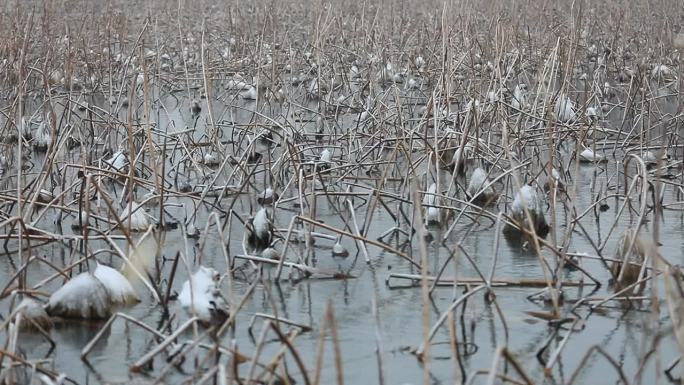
200, 296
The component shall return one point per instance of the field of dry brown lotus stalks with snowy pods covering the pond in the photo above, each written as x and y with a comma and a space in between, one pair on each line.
130, 131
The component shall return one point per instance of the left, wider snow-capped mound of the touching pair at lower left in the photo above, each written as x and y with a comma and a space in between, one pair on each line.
84, 296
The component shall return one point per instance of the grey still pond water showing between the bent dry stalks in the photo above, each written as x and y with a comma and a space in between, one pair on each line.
625, 335
